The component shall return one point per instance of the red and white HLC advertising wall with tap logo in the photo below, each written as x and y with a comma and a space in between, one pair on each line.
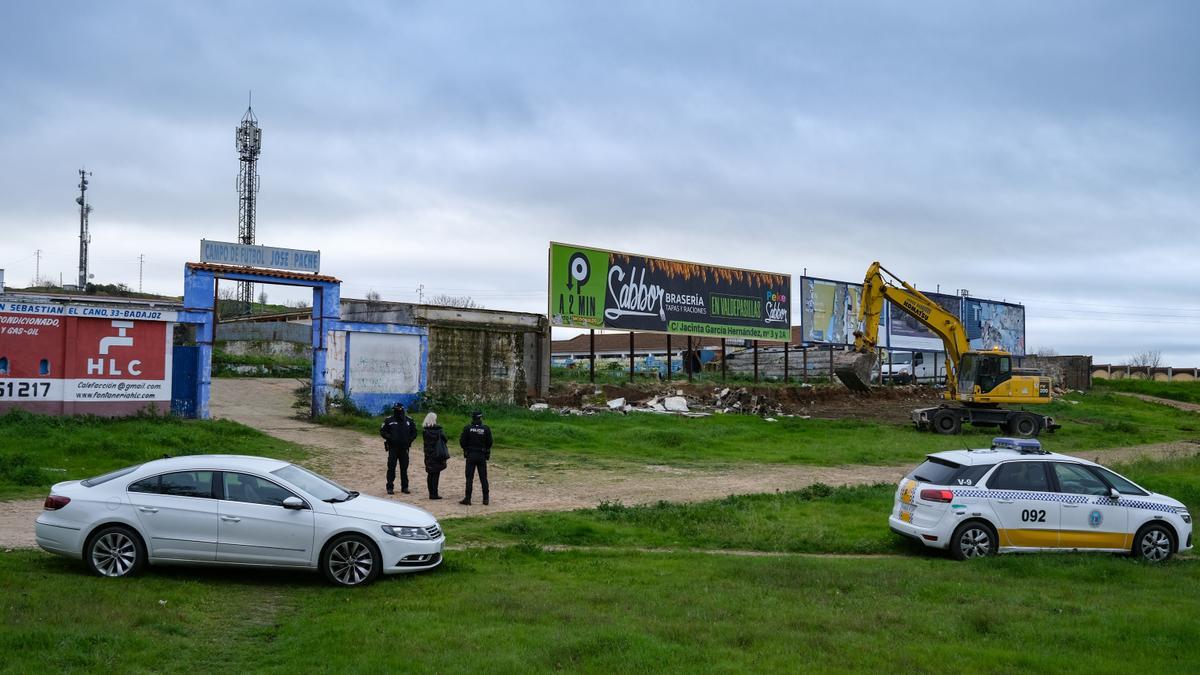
53, 361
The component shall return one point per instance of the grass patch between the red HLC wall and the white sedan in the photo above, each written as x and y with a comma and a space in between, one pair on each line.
40, 451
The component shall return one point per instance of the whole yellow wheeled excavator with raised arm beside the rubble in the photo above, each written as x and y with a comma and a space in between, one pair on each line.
977, 383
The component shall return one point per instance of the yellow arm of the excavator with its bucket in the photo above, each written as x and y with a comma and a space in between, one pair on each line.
878, 288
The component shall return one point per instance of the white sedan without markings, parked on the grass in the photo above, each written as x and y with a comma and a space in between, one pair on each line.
236, 511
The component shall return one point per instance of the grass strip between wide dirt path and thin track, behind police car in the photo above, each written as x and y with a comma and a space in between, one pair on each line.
817, 519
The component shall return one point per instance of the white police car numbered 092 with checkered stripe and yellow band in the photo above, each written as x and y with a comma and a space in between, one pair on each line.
1017, 497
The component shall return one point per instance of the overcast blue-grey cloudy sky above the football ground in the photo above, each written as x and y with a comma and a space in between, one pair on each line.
1045, 153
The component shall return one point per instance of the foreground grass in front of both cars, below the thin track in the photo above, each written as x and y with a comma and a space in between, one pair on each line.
520, 611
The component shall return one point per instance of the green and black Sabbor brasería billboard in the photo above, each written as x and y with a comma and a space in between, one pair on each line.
598, 289
